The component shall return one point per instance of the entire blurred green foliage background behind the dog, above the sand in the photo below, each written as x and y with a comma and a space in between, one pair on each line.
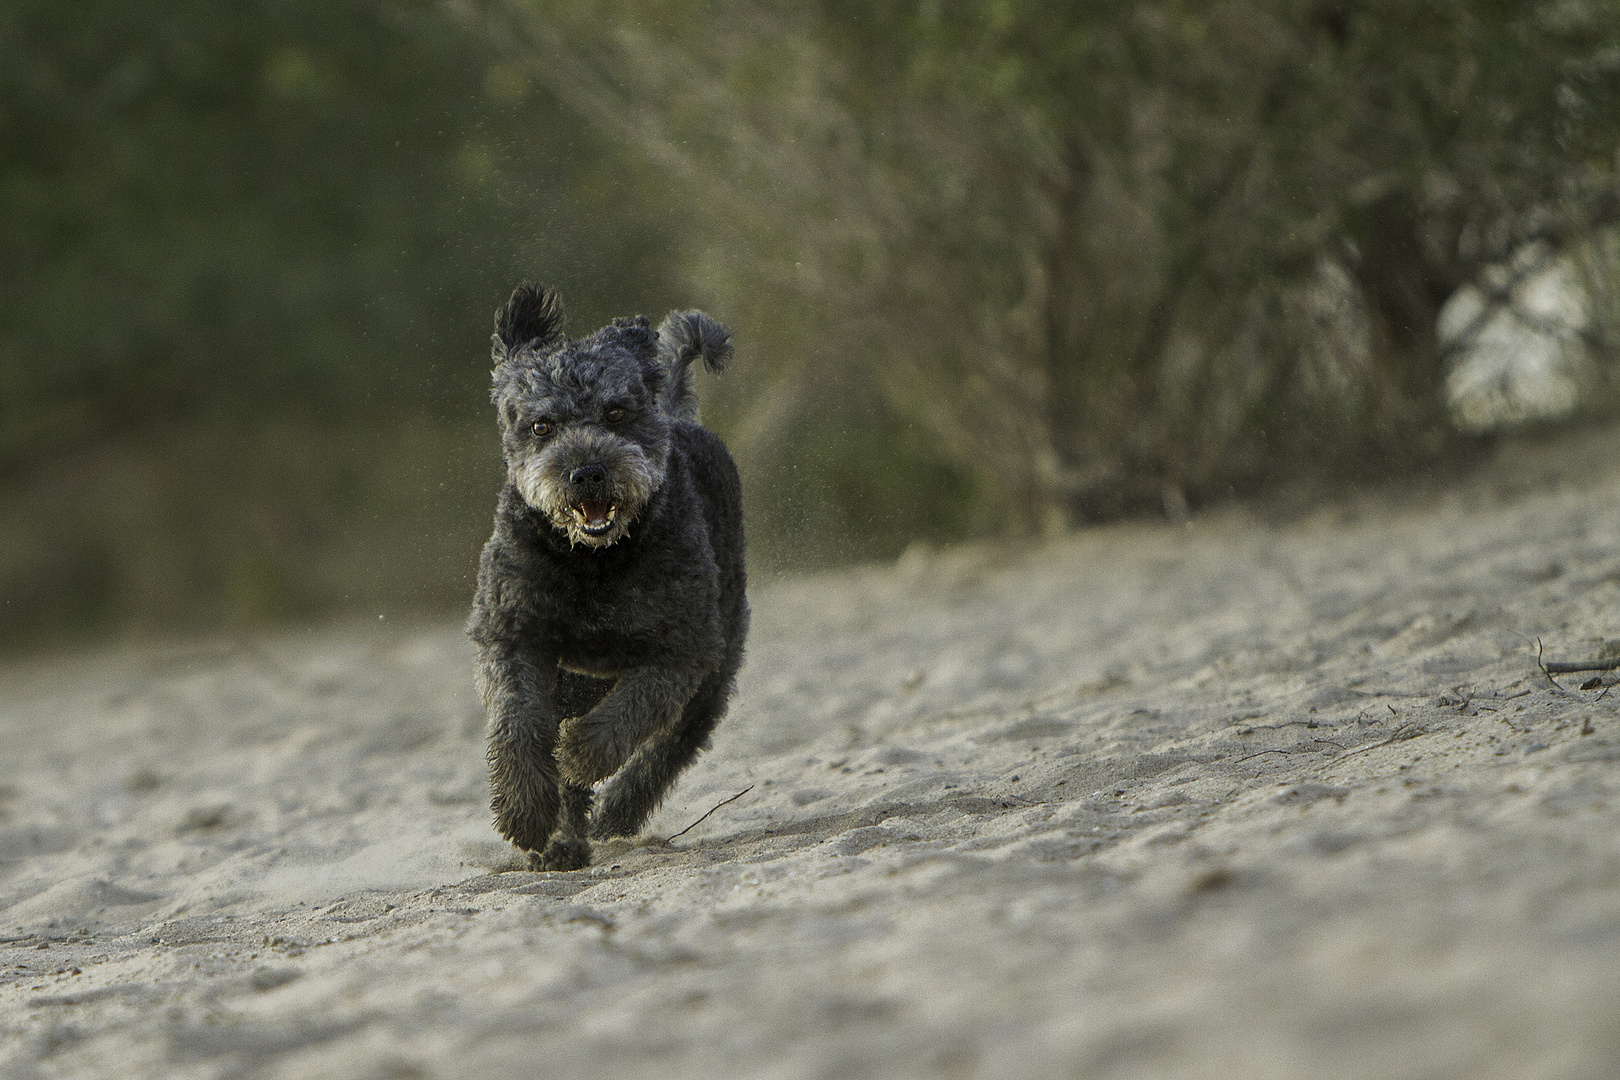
995, 266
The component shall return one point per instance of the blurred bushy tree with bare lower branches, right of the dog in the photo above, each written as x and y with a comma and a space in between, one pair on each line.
1114, 255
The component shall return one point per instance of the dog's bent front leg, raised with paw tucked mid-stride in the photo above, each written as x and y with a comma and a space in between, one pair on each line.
642, 702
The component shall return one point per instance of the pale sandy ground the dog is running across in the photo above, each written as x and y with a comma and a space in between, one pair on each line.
1255, 797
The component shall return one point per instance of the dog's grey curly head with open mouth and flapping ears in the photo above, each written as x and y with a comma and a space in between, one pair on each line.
582, 422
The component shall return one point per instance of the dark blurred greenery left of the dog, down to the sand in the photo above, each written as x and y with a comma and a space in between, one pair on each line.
249, 258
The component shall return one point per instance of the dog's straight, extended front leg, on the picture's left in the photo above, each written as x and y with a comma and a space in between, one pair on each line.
516, 686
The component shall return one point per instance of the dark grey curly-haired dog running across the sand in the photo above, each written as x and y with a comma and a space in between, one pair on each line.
610, 613
